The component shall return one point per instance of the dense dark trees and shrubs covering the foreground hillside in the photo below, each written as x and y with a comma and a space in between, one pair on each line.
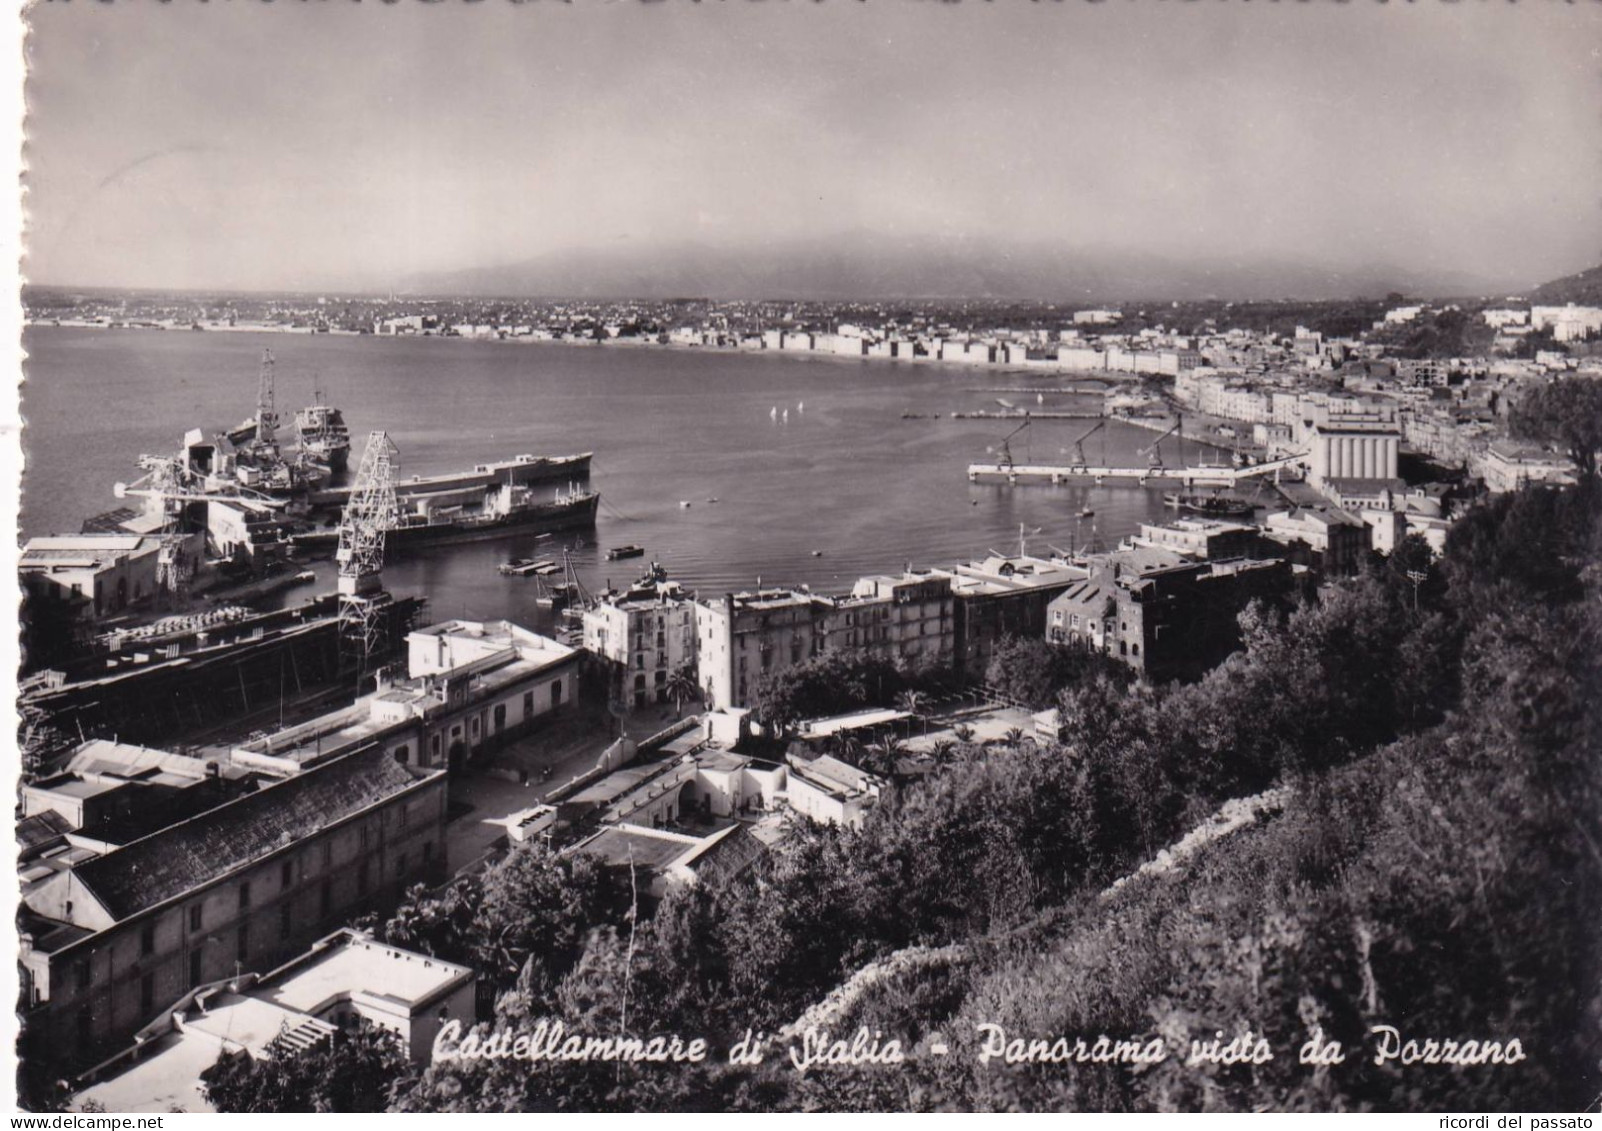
1436, 869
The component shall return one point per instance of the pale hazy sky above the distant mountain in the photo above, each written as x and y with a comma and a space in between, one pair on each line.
257, 145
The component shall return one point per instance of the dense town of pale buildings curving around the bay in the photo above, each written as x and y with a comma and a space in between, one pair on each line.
207, 874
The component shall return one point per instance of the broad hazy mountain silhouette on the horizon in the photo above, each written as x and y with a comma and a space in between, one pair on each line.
867, 267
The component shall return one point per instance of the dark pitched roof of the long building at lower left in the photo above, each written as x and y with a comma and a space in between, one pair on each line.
190, 855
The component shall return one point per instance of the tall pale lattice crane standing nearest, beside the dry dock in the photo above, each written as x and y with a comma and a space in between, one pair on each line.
371, 513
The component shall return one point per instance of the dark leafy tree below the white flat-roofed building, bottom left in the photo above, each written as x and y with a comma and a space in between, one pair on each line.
352, 1071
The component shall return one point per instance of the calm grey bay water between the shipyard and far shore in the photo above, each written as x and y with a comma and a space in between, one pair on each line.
845, 477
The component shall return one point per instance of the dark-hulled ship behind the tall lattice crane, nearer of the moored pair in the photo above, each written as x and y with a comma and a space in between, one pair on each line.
446, 518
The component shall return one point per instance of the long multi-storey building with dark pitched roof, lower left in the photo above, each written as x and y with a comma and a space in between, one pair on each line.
110, 940
